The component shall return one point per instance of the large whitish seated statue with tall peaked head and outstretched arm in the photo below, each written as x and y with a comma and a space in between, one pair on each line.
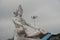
20, 23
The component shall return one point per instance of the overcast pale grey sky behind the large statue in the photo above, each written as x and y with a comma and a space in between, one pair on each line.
48, 12
